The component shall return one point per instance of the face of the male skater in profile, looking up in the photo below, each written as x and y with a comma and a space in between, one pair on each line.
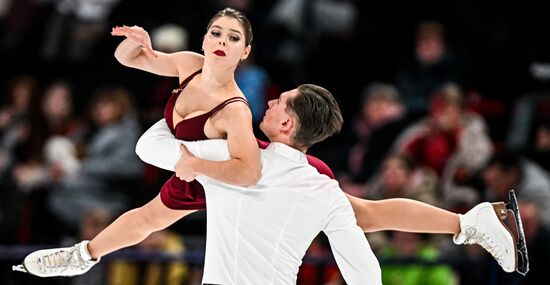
276, 117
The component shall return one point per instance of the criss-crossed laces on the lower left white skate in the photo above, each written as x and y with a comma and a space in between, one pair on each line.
62, 260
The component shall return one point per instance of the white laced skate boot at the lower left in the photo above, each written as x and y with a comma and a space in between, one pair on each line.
66, 261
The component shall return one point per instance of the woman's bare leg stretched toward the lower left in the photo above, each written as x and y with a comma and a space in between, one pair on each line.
134, 226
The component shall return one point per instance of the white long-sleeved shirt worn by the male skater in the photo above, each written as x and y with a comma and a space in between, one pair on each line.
259, 234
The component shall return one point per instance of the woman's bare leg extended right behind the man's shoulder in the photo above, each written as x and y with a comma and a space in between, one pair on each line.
403, 215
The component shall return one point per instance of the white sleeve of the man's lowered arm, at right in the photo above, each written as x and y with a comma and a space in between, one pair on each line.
350, 247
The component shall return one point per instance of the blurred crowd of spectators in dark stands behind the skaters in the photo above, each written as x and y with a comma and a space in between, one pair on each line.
429, 115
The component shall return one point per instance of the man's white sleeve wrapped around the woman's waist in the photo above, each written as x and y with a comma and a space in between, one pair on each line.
158, 147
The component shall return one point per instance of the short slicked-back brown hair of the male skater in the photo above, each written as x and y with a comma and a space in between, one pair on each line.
318, 115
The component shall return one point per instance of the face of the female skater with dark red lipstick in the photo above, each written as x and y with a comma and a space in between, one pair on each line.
224, 43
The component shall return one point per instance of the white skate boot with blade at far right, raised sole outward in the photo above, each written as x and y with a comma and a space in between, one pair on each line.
484, 225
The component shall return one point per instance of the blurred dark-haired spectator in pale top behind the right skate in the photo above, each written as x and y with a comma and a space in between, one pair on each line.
508, 170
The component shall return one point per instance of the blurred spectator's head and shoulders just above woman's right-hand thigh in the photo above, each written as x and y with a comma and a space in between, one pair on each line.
400, 178
